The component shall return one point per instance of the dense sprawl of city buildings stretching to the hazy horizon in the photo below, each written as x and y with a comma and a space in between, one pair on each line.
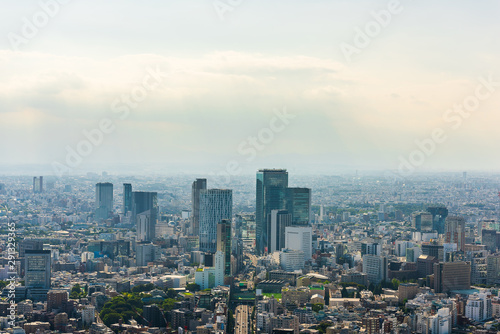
329, 238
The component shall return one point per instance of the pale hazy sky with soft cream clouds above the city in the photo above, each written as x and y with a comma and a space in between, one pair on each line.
236, 85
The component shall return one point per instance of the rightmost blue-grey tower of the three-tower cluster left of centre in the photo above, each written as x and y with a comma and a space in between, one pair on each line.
145, 205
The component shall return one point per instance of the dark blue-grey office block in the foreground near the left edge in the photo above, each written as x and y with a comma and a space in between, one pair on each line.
37, 269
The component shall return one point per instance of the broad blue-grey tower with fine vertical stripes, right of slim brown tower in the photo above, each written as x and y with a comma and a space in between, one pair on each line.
215, 205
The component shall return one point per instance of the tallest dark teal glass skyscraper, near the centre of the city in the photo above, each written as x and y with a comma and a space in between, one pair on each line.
270, 195
